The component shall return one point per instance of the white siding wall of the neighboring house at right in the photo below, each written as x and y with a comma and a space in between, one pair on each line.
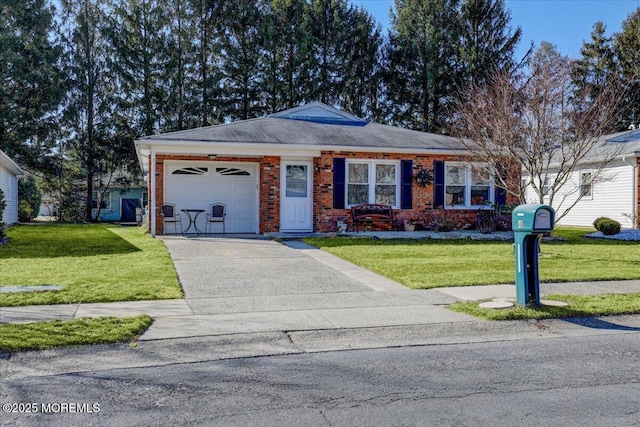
612, 197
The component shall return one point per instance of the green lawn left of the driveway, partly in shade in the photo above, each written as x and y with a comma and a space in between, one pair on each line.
93, 263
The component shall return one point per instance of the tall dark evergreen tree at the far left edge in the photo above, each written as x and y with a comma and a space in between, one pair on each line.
31, 83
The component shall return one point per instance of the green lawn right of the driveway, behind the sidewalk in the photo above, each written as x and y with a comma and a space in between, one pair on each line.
423, 264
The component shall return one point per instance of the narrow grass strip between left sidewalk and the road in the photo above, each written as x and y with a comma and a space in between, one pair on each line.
43, 335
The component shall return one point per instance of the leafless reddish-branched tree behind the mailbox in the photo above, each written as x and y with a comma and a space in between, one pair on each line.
535, 126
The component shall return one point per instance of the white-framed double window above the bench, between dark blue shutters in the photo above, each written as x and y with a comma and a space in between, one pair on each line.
373, 181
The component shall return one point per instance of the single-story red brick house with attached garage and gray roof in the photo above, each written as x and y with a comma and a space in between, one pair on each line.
301, 169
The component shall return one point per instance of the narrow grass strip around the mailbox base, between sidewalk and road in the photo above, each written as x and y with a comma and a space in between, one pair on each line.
579, 306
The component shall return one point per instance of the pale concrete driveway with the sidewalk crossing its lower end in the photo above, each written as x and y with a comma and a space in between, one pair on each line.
244, 286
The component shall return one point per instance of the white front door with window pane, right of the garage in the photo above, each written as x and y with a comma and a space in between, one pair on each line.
296, 212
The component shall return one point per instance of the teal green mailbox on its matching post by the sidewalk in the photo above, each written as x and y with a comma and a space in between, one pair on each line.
529, 223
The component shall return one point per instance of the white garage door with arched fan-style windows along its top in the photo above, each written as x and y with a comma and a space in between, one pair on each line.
197, 185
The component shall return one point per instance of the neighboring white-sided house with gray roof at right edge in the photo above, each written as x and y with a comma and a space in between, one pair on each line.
614, 194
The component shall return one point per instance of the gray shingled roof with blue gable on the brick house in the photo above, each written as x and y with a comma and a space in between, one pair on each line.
312, 125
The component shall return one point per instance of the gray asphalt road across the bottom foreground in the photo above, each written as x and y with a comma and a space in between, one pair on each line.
591, 380
